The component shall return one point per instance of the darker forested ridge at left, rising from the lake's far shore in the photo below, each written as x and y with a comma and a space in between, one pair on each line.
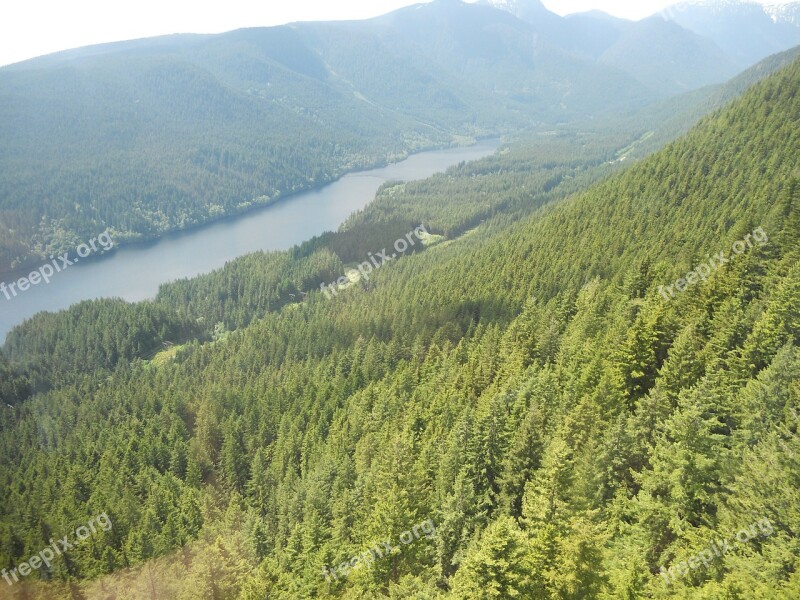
149, 137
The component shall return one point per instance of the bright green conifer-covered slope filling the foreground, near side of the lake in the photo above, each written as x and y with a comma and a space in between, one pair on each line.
528, 388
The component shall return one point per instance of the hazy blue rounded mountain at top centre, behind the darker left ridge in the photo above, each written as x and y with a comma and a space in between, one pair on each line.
507, 59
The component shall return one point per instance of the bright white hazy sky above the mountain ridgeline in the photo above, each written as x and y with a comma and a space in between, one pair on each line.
34, 27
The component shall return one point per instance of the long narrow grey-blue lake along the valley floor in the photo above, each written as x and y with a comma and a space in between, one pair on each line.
135, 272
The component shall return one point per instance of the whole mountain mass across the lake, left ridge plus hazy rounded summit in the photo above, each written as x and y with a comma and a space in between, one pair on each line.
145, 137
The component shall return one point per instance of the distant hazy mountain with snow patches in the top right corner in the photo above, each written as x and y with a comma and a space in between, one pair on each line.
746, 31
